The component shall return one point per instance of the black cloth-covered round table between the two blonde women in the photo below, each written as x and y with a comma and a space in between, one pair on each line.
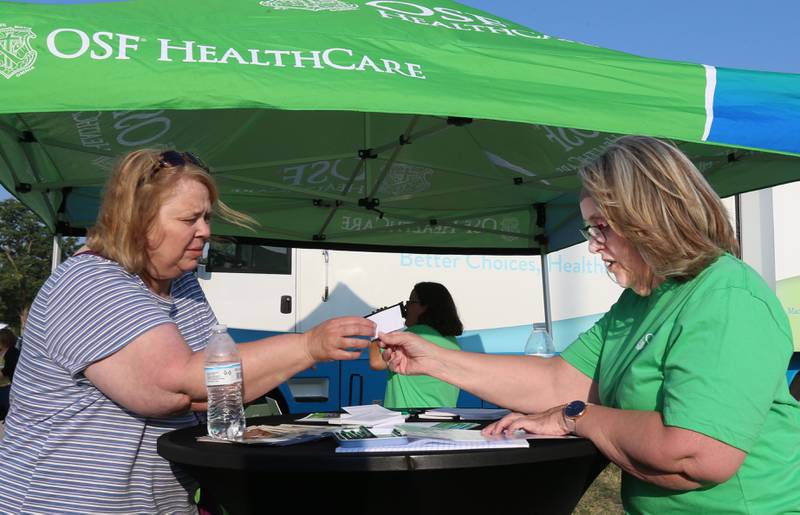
548, 477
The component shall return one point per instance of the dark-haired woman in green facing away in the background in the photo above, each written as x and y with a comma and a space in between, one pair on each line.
431, 314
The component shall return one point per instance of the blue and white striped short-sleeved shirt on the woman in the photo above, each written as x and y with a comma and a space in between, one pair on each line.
68, 448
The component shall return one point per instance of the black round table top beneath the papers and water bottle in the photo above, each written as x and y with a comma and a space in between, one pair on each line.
181, 447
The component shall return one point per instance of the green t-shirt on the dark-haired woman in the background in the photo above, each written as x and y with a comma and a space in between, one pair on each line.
422, 391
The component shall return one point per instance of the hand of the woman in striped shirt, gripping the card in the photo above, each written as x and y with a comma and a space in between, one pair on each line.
335, 339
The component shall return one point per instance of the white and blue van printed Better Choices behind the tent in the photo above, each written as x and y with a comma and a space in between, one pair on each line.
259, 290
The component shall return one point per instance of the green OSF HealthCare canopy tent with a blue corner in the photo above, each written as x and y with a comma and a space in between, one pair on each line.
375, 125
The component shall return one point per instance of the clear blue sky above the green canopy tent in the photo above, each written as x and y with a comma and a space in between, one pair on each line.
758, 35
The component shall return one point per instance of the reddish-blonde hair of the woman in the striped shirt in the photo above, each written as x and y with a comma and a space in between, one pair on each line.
133, 196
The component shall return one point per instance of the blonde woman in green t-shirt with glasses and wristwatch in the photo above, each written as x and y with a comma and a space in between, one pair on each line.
683, 382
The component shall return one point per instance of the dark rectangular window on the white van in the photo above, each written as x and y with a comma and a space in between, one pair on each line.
233, 257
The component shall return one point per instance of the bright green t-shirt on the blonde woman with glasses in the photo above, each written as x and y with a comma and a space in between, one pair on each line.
711, 355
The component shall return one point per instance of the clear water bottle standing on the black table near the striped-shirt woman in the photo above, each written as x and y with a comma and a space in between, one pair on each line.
224, 383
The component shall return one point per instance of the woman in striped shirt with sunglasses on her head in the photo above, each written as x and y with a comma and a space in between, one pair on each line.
113, 351
